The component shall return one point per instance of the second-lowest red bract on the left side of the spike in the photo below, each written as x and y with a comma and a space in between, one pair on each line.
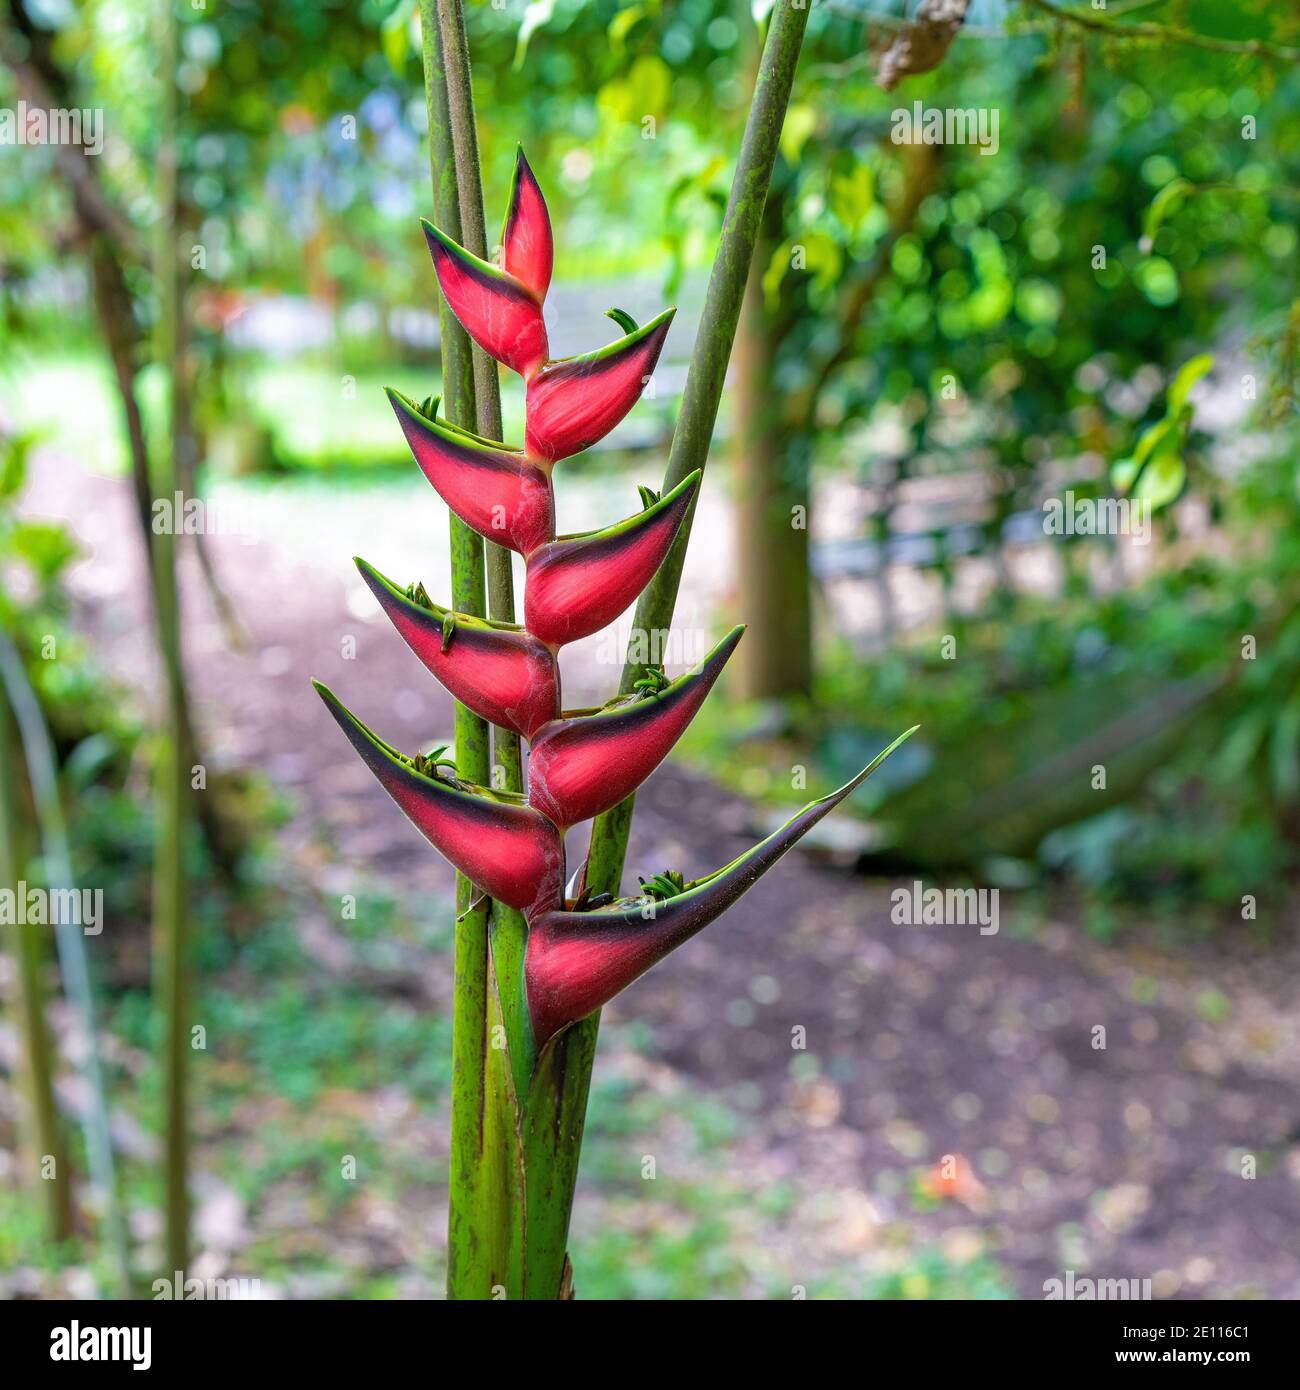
500, 672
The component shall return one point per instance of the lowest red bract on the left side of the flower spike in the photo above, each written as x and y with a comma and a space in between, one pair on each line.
504, 847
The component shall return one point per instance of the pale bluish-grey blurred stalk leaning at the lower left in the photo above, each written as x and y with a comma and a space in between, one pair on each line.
38, 754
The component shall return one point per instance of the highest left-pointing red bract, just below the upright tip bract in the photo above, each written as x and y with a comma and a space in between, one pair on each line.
496, 309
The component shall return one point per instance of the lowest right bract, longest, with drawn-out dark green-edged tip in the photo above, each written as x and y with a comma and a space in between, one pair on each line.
576, 963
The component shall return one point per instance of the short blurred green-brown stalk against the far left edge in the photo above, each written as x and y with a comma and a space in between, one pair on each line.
38, 1064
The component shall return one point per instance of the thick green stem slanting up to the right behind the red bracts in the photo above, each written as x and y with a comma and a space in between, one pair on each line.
558, 1097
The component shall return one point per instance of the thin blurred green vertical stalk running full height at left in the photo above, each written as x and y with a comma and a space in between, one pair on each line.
172, 790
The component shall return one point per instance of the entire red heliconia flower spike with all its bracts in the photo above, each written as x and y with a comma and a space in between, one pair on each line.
578, 956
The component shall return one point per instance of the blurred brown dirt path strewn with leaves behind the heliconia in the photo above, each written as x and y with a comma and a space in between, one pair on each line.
1123, 1161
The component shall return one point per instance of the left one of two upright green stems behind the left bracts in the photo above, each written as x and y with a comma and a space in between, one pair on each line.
469, 1263
